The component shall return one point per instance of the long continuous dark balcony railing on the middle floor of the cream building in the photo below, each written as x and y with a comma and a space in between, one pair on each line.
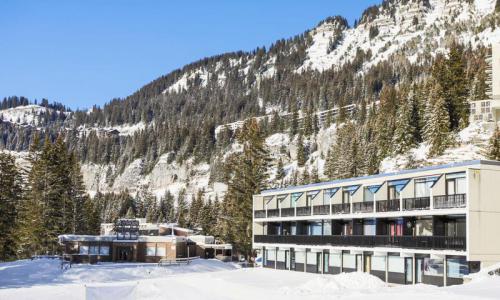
412, 242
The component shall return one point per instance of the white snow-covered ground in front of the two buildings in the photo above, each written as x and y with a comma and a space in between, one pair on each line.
211, 279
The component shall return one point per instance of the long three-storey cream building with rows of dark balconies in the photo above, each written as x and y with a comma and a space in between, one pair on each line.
431, 225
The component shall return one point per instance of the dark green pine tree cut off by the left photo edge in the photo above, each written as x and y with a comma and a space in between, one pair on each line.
10, 197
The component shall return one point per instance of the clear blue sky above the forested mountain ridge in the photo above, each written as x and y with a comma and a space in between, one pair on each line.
82, 53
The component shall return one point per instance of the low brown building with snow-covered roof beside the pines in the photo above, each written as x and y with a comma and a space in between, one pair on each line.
135, 240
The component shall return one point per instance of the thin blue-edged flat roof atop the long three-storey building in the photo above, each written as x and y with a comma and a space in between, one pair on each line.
402, 172
